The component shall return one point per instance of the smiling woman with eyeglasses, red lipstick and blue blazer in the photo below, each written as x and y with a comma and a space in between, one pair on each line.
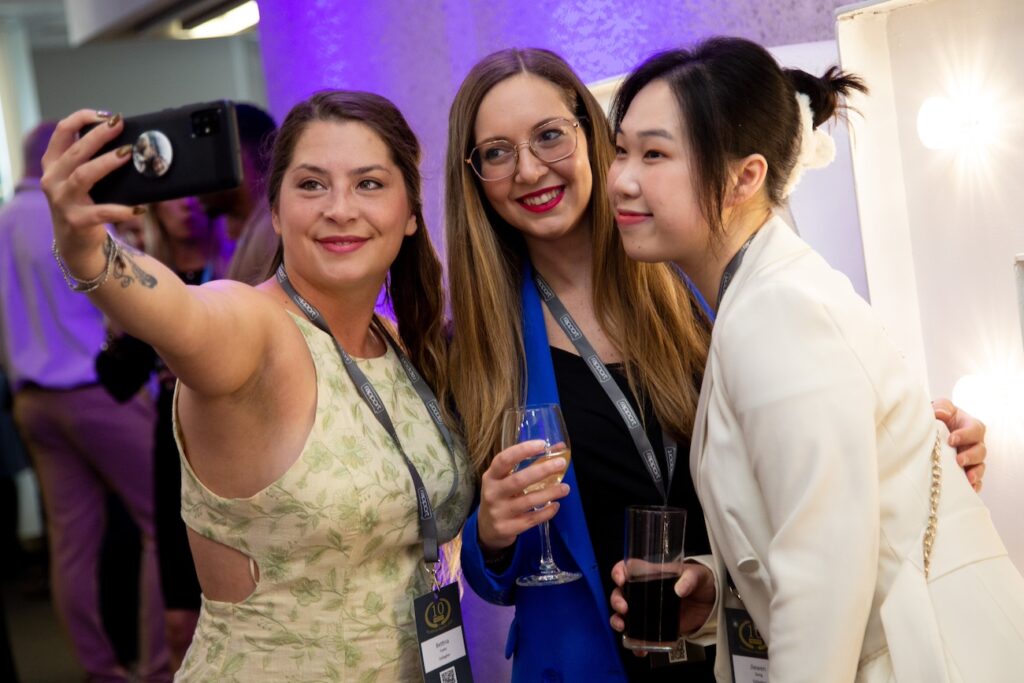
528, 159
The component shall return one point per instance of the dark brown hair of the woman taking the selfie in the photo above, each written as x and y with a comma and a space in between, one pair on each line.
414, 284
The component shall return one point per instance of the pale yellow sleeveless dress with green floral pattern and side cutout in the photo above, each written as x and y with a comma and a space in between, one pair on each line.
336, 540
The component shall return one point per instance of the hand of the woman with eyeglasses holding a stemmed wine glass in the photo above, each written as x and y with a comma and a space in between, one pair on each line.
505, 510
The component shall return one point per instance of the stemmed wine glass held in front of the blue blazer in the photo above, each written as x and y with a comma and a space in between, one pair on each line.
542, 422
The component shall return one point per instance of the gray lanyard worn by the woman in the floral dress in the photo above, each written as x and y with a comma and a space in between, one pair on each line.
429, 525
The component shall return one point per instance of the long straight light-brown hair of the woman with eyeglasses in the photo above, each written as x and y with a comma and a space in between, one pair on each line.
647, 310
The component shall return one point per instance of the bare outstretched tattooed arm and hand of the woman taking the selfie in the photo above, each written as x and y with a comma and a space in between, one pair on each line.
214, 338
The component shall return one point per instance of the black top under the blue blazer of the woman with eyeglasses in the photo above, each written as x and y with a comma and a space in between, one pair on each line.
611, 477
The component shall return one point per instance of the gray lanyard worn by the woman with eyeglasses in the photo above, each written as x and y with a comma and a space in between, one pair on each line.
604, 377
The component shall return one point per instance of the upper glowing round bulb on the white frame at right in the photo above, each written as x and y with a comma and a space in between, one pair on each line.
945, 123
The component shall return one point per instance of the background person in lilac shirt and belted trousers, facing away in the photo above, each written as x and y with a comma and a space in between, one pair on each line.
82, 443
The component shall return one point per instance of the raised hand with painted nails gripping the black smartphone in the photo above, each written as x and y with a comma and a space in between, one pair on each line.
69, 174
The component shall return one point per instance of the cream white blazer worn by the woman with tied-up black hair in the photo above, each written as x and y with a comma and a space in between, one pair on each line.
812, 456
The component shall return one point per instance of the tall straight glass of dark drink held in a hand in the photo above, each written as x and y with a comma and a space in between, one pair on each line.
654, 564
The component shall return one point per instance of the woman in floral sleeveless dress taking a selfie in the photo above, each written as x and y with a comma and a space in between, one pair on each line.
300, 497
